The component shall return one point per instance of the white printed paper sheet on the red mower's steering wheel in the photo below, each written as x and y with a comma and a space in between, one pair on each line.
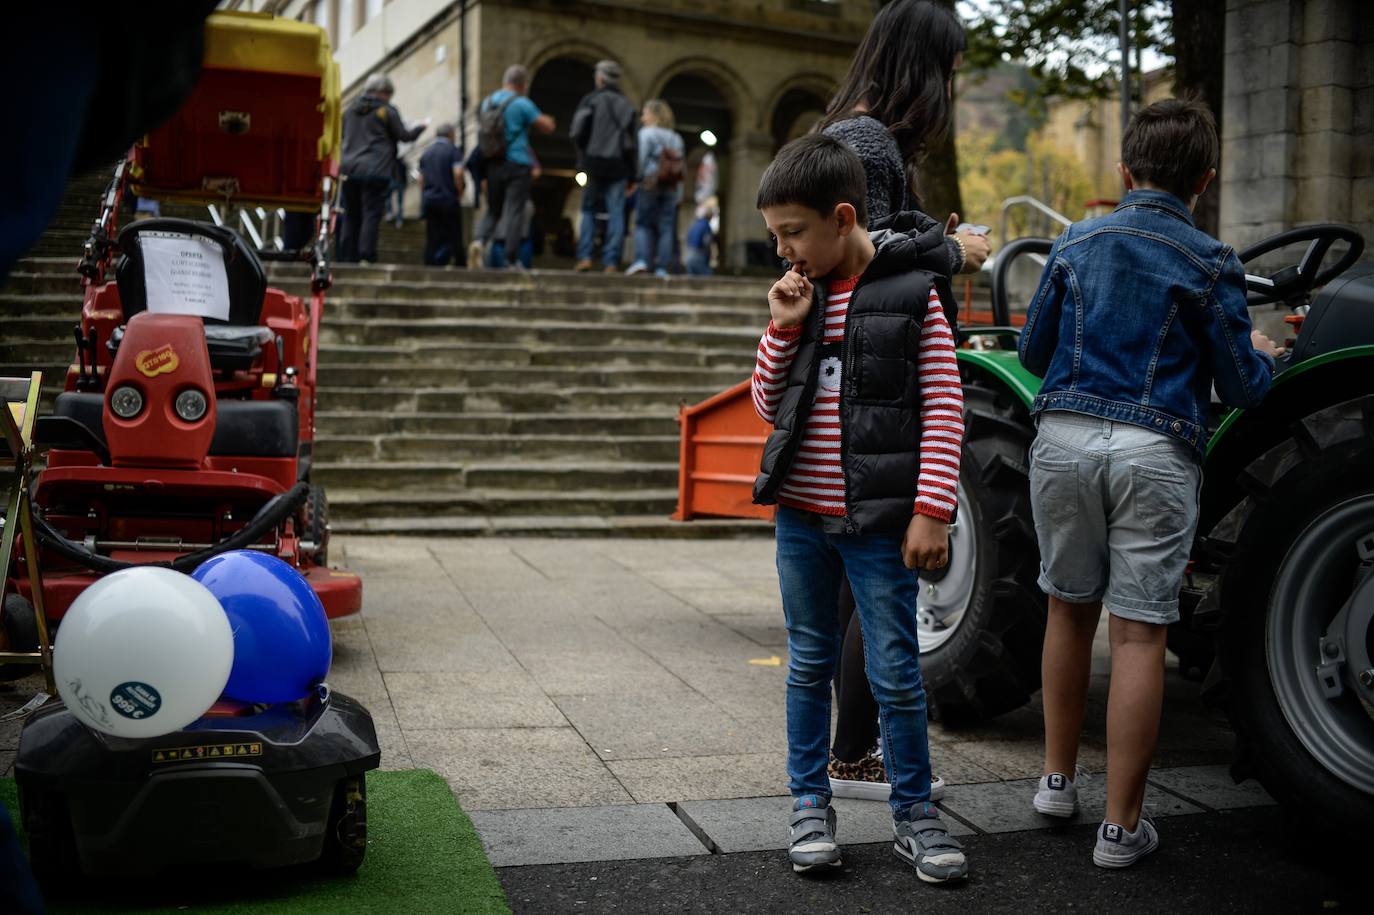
185, 275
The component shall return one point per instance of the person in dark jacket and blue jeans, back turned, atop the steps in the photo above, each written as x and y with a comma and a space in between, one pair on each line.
604, 131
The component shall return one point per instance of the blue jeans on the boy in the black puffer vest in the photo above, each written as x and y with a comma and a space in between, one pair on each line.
811, 565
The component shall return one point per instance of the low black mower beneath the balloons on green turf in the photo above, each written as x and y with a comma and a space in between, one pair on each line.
254, 789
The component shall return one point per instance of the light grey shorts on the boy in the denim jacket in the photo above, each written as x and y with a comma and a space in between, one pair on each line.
1116, 508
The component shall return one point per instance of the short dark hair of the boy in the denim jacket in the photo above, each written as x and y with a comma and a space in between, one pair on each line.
1171, 145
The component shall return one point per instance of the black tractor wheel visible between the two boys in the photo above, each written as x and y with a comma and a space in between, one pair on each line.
982, 620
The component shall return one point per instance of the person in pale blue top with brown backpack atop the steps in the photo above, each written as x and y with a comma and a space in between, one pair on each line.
662, 156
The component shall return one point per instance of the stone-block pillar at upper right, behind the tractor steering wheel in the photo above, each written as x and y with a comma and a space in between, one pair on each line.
1298, 135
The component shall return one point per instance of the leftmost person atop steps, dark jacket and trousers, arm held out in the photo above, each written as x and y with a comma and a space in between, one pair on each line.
372, 130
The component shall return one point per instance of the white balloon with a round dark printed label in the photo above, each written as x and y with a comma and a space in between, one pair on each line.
142, 653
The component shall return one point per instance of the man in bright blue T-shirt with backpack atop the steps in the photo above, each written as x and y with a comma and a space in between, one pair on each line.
505, 120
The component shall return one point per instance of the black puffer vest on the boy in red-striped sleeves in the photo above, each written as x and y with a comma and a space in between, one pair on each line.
880, 405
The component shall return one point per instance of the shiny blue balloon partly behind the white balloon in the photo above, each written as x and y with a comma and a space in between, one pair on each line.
282, 646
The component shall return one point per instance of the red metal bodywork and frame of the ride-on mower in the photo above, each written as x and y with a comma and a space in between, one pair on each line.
163, 495
